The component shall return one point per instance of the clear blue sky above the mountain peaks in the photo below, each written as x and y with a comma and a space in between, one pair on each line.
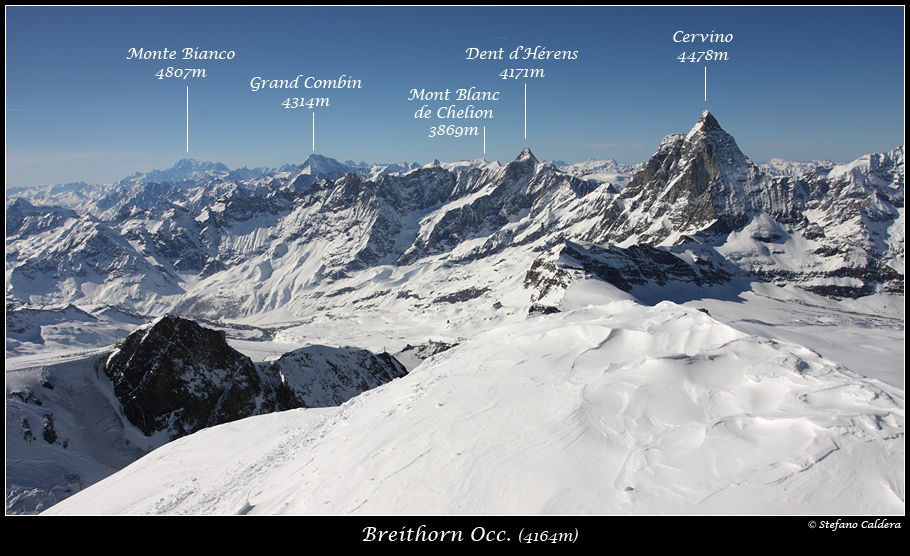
798, 83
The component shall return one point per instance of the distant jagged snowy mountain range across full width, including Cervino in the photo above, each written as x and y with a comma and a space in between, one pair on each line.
150, 246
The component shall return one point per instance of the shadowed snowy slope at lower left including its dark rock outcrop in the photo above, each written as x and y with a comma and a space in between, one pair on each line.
75, 420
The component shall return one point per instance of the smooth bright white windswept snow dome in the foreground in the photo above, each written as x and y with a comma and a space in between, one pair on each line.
616, 408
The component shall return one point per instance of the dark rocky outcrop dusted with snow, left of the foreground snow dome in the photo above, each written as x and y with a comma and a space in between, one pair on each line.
177, 377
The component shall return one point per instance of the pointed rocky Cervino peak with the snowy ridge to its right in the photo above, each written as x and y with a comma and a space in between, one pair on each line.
835, 230
